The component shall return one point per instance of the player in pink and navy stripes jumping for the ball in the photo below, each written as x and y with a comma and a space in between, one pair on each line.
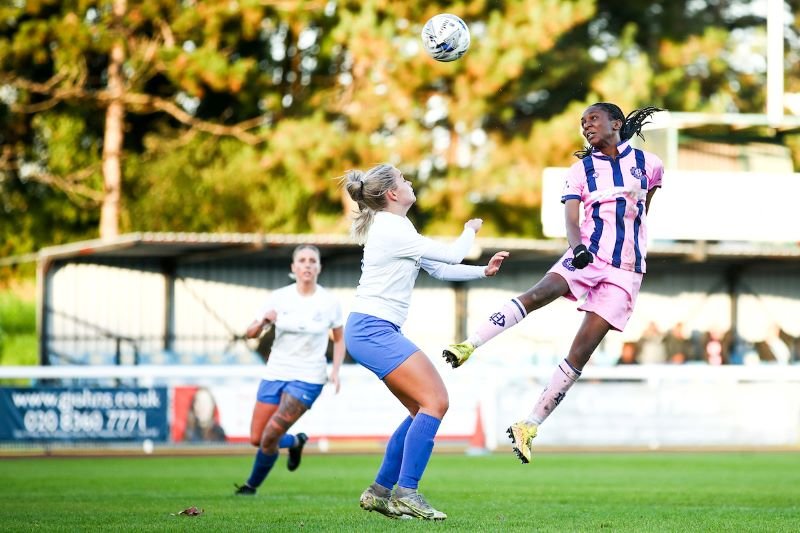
605, 263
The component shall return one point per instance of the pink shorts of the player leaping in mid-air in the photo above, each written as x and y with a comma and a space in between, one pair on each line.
610, 292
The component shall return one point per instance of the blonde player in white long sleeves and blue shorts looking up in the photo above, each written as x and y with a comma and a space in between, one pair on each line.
393, 255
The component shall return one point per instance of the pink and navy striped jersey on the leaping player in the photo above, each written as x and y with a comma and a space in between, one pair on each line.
614, 192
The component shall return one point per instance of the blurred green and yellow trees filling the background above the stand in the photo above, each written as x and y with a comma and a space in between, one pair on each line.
220, 116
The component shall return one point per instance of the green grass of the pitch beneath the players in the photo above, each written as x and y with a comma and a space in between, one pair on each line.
558, 492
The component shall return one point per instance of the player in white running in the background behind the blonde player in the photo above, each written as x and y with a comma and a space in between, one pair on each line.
305, 316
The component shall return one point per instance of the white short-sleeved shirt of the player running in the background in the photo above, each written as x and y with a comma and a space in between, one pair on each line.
301, 334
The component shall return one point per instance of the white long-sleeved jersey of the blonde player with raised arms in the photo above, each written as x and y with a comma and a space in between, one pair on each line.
393, 255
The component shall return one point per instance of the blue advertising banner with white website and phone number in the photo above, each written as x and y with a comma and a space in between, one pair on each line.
74, 414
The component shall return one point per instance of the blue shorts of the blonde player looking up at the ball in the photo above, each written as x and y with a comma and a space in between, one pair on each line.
376, 344
